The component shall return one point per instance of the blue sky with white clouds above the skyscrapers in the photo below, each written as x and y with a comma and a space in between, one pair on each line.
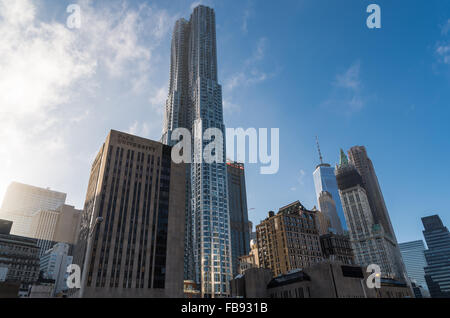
308, 67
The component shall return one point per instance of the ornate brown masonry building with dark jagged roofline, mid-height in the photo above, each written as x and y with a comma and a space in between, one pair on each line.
289, 239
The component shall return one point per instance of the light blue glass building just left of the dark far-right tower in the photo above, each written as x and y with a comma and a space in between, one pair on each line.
413, 254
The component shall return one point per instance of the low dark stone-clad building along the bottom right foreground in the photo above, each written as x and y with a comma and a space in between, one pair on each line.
323, 280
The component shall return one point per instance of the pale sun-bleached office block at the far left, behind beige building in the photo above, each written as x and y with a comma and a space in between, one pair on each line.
22, 200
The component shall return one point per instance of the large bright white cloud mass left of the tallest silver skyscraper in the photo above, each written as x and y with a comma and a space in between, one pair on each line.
44, 66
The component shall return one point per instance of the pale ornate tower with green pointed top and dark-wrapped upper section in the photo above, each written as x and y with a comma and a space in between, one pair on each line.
369, 241
